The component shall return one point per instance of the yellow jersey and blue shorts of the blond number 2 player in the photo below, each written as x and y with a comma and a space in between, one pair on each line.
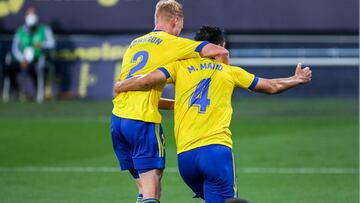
136, 132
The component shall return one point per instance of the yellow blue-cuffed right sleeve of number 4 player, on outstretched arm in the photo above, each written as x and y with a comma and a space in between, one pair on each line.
243, 79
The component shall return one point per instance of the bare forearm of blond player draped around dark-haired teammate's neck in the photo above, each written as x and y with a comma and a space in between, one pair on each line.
215, 51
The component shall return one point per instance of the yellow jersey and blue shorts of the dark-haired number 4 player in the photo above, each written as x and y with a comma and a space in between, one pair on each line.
203, 91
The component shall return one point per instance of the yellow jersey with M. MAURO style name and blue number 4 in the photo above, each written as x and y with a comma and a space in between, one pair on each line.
203, 90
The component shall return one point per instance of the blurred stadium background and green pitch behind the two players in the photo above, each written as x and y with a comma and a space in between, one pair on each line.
299, 146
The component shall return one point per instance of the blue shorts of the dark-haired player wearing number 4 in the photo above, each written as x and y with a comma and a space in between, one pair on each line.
210, 172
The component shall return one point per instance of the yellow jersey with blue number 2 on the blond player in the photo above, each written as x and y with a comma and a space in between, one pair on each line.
144, 55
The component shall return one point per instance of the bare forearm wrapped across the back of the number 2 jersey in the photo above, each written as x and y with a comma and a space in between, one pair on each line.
140, 82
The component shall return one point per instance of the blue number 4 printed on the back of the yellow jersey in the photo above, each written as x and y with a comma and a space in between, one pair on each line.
200, 96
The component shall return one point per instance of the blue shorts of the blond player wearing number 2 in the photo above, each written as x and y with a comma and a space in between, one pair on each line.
138, 145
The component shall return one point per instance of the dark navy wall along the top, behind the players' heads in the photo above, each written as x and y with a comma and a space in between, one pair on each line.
237, 15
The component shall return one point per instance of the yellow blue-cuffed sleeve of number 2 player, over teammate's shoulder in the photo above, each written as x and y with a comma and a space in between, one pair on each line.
186, 48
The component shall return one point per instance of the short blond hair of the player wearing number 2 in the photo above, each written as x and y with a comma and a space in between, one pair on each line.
168, 9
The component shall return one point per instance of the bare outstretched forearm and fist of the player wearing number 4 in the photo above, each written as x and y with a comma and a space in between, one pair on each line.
278, 85
